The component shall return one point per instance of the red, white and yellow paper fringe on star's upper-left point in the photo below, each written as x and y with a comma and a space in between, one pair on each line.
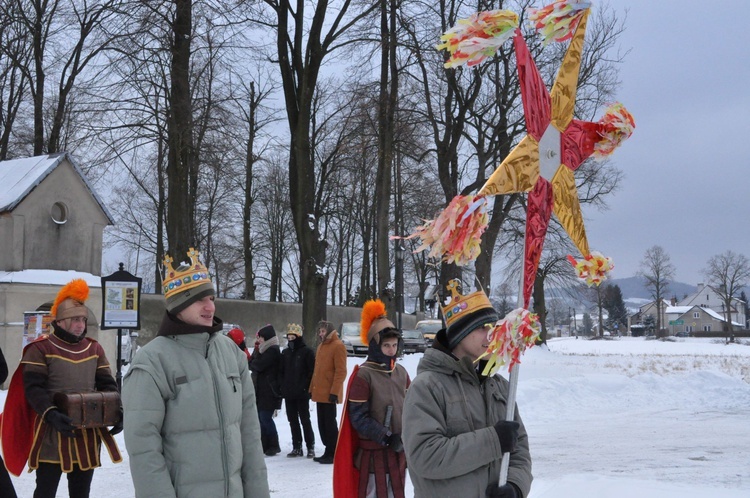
474, 39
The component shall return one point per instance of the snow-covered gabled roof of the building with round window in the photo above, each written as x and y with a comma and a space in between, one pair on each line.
18, 177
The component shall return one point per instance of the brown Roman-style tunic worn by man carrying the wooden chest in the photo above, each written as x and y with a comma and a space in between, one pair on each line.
68, 368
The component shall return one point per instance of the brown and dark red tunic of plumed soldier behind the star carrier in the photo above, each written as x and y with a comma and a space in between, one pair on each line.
381, 387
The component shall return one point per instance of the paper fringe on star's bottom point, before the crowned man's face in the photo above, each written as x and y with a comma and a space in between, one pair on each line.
510, 338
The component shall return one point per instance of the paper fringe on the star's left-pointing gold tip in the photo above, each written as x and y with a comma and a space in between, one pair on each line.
454, 236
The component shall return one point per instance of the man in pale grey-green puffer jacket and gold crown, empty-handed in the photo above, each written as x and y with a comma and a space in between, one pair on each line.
191, 423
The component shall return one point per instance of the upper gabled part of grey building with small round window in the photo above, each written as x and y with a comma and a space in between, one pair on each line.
50, 216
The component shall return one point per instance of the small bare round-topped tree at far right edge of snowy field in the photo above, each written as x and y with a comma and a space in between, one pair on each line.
727, 273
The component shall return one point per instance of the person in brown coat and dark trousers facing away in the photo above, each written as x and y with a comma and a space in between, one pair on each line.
327, 386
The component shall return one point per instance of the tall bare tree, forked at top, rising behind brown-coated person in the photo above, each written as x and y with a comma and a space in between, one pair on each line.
302, 44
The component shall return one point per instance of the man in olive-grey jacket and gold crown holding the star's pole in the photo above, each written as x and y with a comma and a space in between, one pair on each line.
454, 427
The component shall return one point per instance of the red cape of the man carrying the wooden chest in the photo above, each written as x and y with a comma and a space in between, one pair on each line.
17, 423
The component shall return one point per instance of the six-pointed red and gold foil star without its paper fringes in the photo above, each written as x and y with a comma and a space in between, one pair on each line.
543, 162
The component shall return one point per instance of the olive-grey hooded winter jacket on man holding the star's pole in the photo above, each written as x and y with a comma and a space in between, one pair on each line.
451, 446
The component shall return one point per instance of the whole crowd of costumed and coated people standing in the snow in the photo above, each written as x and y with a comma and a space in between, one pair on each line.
198, 406
